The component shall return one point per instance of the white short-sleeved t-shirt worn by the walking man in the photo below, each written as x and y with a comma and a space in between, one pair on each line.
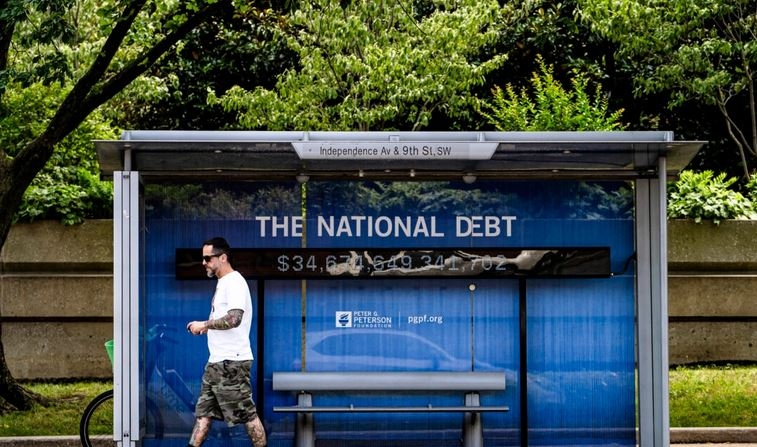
232, 292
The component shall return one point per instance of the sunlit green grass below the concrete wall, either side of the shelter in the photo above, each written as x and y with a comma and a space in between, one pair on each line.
712, 396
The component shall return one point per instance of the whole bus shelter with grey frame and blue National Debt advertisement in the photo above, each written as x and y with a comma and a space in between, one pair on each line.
537, 257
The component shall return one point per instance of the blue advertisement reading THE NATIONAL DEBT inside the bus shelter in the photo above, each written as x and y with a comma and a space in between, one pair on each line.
532, 281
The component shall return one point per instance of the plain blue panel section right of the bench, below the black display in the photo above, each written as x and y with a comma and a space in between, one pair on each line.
581, 383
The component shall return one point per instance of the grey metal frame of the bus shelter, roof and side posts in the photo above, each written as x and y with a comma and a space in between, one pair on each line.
648, 159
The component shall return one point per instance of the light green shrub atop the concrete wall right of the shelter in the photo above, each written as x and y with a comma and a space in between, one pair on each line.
703, 195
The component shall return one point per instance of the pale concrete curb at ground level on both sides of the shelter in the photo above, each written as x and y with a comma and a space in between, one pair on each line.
698, 435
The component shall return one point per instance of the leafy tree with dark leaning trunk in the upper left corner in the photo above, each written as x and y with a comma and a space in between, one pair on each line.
89, 50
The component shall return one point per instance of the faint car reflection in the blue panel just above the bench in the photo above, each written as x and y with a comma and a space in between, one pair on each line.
380, 350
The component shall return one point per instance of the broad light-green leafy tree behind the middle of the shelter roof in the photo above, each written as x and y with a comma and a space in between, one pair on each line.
372, 65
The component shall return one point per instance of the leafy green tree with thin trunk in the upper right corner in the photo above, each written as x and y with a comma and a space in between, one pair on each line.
694, 50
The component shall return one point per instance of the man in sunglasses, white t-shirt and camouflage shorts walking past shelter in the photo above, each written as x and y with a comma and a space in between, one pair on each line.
226, 392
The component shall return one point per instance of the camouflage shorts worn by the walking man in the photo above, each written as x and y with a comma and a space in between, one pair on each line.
226, 393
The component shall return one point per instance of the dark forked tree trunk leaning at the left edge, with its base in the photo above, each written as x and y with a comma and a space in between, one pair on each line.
93, 89
